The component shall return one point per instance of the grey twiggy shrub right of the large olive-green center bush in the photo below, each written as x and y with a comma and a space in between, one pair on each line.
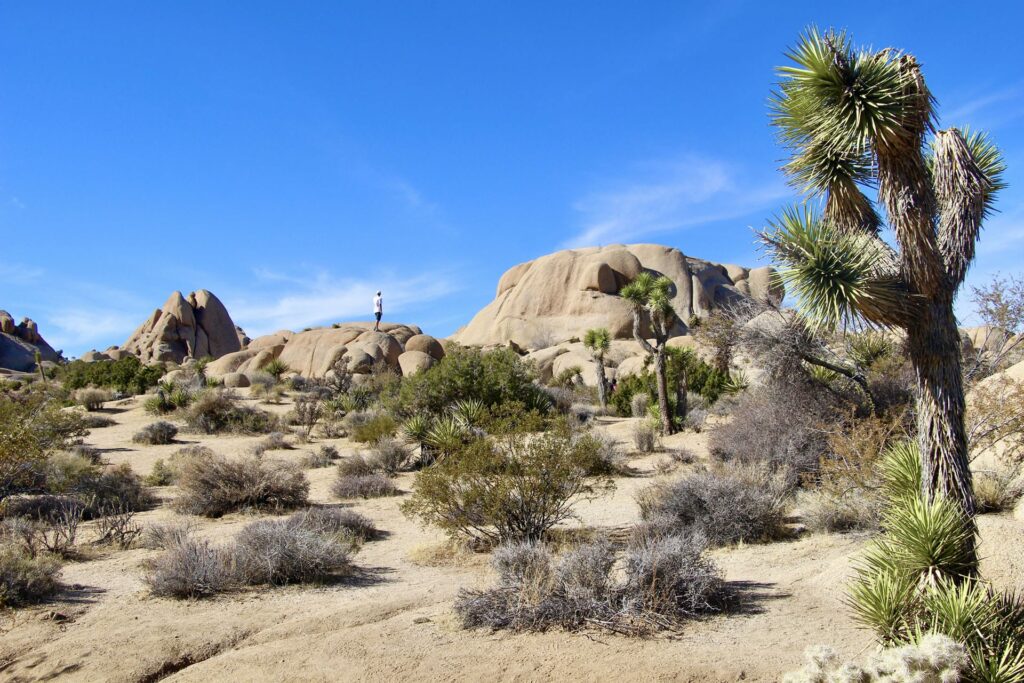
728, 505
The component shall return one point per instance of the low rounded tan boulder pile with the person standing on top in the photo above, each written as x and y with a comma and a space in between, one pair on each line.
312, 354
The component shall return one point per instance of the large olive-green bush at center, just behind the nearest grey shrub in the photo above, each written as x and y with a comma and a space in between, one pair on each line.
515, 489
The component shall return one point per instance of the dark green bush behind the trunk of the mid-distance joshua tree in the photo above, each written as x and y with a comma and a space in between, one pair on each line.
701, 379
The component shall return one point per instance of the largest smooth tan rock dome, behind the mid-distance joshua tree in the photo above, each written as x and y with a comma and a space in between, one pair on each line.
560, 296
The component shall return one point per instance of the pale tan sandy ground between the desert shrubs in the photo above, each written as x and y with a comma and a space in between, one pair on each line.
396, 622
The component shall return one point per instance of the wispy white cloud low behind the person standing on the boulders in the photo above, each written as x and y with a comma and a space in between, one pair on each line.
324, 298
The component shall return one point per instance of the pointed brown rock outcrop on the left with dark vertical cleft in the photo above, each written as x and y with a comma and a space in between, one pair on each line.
195, 327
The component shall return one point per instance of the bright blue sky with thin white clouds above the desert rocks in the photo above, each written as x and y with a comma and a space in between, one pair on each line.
295, 157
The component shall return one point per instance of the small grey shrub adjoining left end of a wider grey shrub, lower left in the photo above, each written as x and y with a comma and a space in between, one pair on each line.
190, 569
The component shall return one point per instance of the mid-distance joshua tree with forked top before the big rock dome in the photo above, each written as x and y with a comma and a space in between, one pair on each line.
650, 294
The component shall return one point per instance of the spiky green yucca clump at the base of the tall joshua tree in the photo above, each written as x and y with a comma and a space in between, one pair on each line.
919, 578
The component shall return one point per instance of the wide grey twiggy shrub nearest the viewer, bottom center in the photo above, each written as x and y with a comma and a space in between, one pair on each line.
667, 580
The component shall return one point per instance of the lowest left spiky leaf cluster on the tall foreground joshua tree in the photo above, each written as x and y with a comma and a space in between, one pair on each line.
837, 276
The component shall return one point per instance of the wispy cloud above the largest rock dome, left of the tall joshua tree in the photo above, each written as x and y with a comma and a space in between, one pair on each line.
670, 197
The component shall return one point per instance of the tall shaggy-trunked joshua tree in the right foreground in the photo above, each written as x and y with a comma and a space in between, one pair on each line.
857, 119
